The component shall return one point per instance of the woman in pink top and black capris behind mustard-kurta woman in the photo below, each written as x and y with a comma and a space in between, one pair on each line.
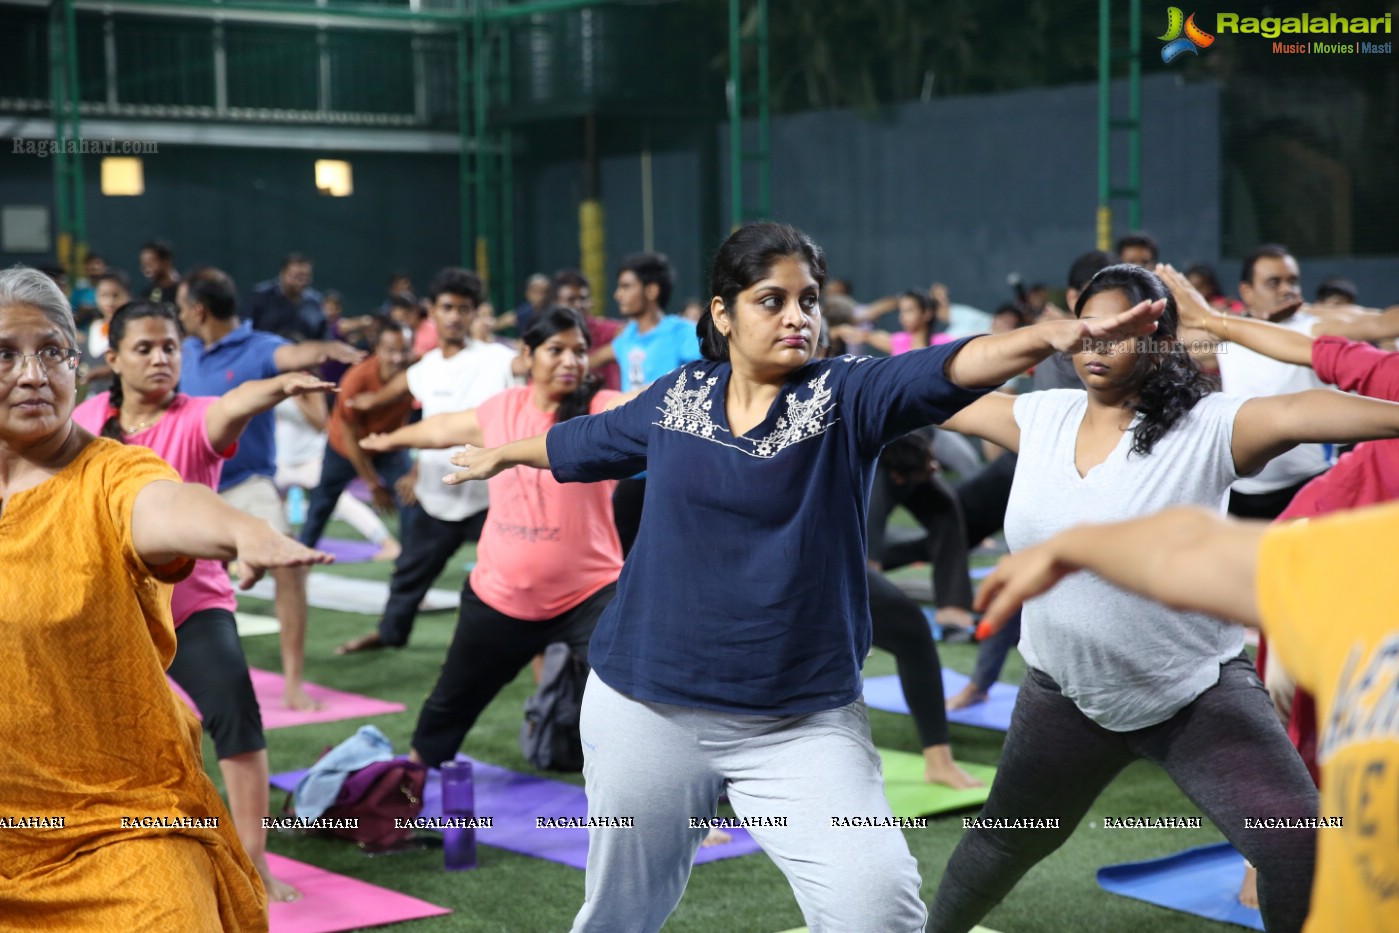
195, 437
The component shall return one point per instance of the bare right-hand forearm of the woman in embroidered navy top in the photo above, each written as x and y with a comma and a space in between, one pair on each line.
991, 362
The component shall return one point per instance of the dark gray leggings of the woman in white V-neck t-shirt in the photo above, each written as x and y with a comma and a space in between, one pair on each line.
1226, 750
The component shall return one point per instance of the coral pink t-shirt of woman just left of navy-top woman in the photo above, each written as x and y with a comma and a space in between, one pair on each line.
548, 546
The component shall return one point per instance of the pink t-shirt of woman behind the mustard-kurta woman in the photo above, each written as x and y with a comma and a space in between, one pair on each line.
181, 439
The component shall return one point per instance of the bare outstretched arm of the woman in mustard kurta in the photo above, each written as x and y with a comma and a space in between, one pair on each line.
211, 529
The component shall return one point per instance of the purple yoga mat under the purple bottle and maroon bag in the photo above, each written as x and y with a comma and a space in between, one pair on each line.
516, 801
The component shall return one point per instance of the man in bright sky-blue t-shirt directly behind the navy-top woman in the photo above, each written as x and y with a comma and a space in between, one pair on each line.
651, 345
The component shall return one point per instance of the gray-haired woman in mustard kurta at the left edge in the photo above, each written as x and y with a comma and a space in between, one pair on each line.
107, 816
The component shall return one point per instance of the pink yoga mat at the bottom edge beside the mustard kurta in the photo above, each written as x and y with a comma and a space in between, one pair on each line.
332, 903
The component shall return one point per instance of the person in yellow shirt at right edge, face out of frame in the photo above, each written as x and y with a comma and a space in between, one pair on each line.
1324, 594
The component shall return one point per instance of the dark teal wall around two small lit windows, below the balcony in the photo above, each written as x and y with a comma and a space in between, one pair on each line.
246, 209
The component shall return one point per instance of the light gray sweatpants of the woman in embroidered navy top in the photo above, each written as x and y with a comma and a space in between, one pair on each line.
665, 766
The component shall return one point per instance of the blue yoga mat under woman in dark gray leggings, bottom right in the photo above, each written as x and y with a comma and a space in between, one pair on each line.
1202, 882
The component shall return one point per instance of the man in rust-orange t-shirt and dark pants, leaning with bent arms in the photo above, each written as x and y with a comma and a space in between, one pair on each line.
345, 461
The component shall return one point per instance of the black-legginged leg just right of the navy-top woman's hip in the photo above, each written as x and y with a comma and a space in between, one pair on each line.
903, 630
